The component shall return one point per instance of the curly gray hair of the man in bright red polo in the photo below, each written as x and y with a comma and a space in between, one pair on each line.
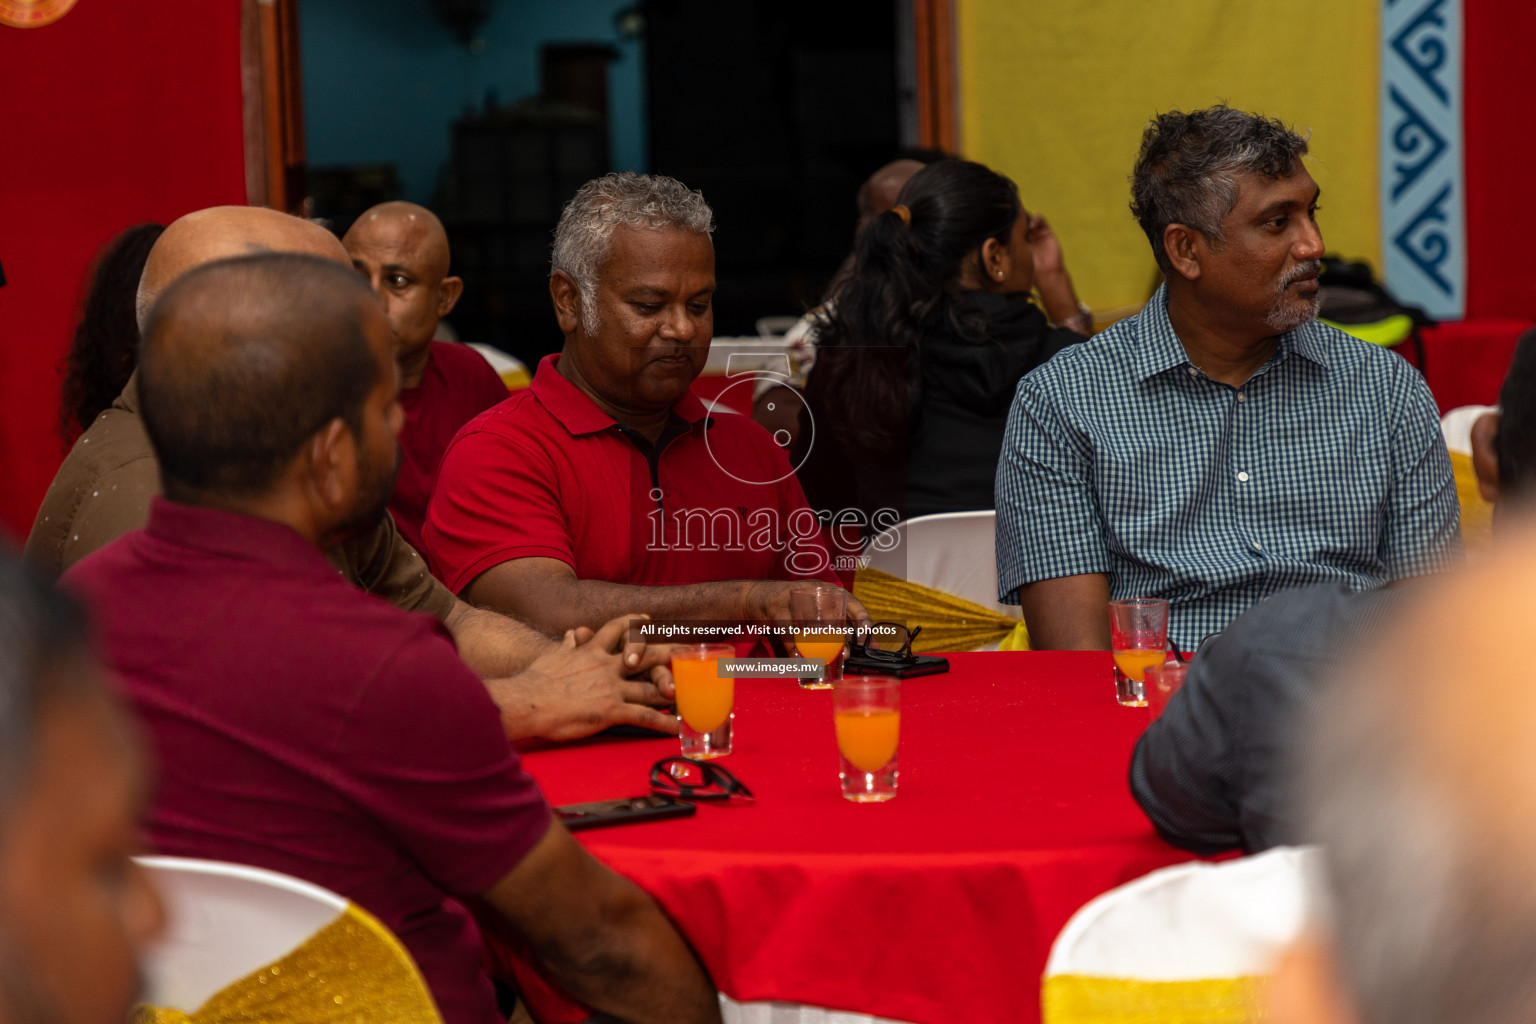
637, 200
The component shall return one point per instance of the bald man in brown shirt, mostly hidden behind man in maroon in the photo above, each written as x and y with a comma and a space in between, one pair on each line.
105, 487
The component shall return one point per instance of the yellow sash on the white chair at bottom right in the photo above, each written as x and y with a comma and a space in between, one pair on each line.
1090, 1000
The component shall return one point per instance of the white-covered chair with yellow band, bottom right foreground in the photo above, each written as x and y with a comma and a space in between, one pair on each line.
1183, 943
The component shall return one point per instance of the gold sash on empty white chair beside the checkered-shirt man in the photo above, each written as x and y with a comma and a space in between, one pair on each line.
950, 624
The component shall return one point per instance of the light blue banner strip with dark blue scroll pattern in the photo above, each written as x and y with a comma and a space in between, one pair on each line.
1422, 179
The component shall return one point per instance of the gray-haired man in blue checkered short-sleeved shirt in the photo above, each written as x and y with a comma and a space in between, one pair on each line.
1220, 446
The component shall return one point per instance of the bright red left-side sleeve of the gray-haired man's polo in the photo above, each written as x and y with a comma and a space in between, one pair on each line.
495, 501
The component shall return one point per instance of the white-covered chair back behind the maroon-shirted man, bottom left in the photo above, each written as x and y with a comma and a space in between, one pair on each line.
228, 922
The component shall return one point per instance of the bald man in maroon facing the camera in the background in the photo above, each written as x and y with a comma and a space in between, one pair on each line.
403, 251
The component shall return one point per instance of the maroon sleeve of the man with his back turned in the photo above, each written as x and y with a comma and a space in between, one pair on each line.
425, 755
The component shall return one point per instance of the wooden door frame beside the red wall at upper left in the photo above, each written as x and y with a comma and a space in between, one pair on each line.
274, 105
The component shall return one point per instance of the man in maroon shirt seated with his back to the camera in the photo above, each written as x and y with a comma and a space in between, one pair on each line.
302, 725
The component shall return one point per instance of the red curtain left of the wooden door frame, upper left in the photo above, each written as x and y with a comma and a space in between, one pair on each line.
116, 114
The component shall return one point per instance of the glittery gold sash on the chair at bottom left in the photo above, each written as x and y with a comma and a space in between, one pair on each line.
354, 971
